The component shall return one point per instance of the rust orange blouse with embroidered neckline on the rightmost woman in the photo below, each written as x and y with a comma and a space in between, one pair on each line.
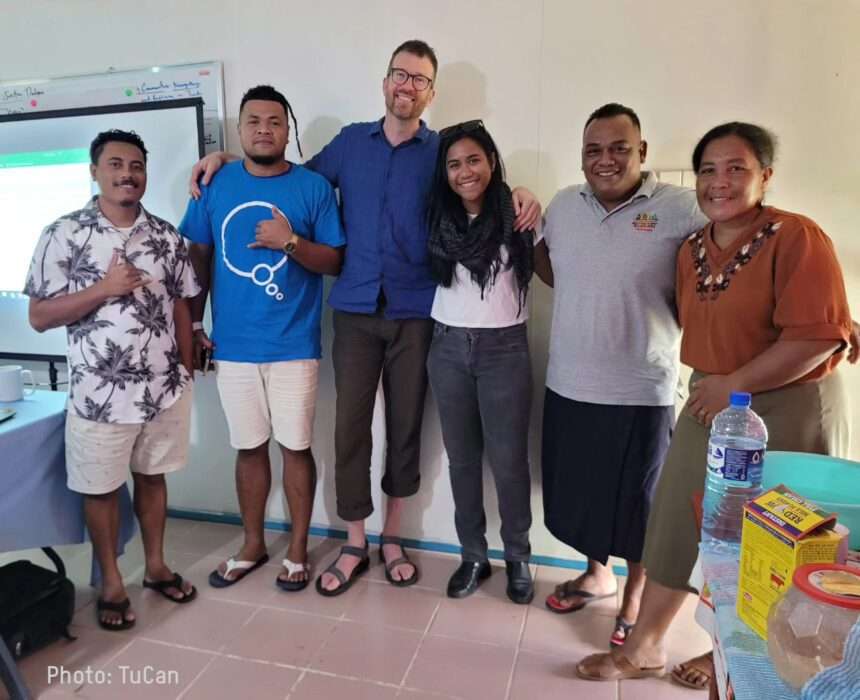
781, 280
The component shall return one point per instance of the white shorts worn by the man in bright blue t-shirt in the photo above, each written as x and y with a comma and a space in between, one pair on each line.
272, 398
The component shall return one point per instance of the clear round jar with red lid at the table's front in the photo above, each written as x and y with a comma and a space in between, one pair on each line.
808, 626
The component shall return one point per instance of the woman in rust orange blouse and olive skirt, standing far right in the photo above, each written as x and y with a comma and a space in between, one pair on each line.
762, 305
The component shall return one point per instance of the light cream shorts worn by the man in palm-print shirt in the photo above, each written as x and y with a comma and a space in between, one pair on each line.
99, 455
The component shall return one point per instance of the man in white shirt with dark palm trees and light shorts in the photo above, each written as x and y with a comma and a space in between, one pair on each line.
119, 278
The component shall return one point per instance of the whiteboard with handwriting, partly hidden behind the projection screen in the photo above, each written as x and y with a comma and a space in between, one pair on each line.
153, 84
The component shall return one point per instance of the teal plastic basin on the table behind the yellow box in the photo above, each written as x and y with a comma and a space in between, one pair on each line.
829, 482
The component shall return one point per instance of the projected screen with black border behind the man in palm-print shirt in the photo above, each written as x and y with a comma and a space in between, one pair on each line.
44, 173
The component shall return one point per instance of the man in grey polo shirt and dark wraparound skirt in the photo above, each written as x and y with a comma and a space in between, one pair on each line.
609, 249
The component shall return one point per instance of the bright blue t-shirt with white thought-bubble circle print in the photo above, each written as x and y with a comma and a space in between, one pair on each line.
265, 306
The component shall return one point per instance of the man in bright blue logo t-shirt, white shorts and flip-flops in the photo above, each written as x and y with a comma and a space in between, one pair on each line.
274, 230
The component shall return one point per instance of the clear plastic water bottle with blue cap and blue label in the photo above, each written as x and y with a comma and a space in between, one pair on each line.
735, 460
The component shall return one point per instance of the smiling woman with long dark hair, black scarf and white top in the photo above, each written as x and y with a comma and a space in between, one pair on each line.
479, 365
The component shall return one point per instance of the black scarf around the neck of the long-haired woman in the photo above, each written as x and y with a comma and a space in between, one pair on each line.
476, 245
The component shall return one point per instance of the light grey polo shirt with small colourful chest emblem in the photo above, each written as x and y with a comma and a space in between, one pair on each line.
615, 336
